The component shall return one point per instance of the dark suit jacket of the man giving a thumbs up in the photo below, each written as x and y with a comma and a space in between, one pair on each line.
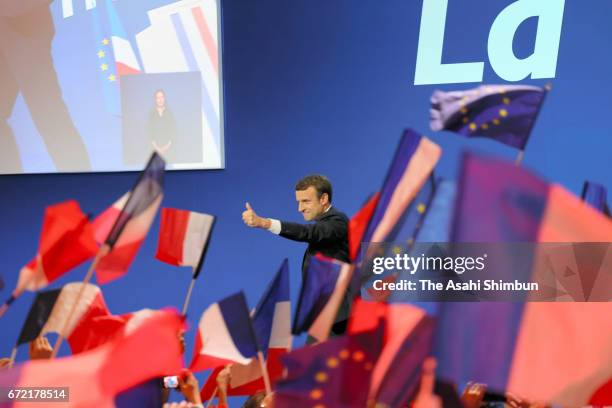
328, 236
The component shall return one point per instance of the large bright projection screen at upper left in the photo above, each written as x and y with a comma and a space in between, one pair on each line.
97, 85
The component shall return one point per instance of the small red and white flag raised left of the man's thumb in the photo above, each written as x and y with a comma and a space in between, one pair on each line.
183, 237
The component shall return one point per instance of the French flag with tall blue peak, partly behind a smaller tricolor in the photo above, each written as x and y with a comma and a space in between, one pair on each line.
272, 324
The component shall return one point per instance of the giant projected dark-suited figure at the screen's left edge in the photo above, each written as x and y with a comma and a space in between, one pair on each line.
26, 68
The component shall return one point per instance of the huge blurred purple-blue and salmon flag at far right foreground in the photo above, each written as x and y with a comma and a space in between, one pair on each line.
498, 202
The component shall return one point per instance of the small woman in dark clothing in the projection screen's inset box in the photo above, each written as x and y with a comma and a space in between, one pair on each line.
162, 127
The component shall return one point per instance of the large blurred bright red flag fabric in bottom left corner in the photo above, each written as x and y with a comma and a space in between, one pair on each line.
147, 349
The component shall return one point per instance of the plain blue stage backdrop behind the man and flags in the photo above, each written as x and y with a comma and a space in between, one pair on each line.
320, 86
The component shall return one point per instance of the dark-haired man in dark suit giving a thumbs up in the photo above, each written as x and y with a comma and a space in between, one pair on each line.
328, 234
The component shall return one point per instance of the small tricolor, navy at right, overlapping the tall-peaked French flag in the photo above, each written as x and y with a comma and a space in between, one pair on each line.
225, 335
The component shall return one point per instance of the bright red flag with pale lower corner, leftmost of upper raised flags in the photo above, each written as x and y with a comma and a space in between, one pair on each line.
66, 241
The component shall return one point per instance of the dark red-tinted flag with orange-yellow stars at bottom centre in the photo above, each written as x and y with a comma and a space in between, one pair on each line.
335, 373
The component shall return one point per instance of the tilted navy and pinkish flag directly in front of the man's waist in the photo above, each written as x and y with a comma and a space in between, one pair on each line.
325, 283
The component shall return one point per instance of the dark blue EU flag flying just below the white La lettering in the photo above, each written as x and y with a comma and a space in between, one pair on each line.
505, 113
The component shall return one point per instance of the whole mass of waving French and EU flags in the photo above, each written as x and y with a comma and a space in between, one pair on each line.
548, 352
